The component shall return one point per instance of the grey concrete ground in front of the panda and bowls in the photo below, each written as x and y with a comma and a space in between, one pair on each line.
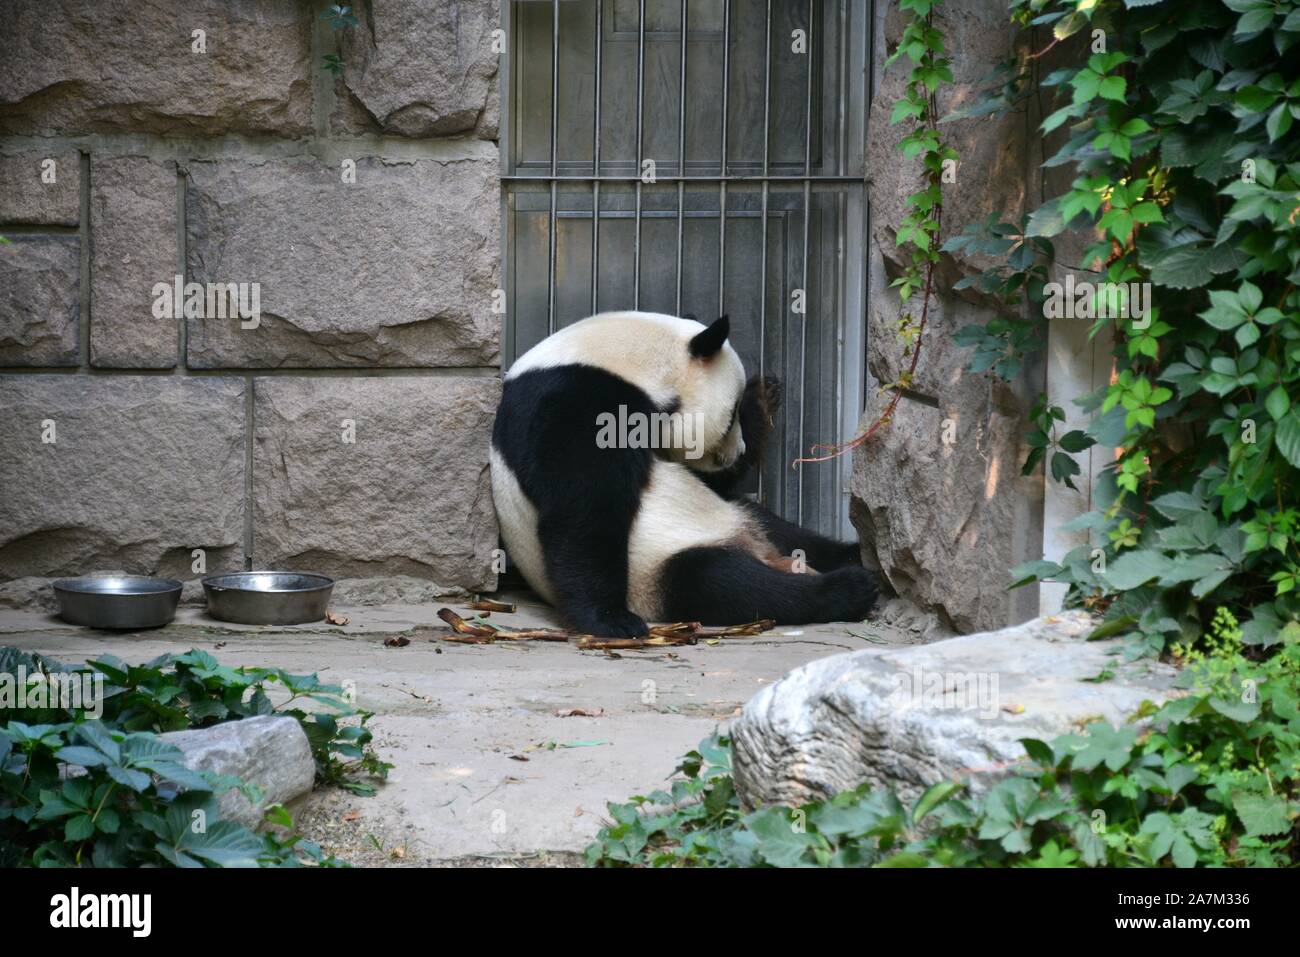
484, 767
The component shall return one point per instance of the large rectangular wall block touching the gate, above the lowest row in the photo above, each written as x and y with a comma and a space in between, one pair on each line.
396, 270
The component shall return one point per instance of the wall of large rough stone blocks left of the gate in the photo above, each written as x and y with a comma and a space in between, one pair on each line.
344, 427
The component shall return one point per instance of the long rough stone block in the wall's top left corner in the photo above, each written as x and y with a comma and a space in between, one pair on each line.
131, 67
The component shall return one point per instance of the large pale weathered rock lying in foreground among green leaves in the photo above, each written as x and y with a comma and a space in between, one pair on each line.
911, 717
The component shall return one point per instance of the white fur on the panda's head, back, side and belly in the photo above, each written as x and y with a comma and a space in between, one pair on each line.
678, 512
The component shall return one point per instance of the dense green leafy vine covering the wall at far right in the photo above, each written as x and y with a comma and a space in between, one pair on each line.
1177, 122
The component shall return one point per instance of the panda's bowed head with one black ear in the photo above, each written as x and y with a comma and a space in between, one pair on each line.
710, 387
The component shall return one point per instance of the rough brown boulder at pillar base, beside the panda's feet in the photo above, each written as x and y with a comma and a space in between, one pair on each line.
939, 501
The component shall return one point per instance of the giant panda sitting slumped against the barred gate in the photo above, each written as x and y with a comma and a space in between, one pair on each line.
618, 535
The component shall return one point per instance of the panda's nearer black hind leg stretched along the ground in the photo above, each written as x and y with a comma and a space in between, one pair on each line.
725, 586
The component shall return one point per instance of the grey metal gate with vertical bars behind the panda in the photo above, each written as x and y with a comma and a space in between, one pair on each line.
700, 157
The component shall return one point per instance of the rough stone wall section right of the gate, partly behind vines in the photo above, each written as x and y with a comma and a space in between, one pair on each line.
938, 497
